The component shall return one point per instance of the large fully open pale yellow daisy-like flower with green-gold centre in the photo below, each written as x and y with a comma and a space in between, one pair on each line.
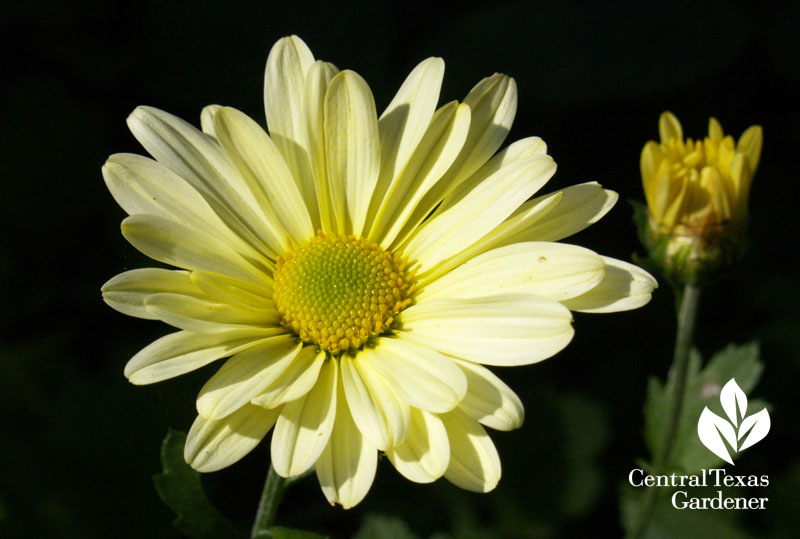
358, 271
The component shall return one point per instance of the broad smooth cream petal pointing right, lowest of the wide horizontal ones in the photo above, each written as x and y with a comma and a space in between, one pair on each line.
513, 329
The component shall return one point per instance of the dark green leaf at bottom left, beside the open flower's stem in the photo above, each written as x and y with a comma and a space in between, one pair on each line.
179, 487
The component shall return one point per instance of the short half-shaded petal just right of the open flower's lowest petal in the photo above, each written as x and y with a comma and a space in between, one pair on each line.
425, 454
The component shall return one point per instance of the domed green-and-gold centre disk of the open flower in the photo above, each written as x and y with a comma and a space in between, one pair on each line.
338, 291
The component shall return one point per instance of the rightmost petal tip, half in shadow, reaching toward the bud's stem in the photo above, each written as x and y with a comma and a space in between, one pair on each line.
624, 287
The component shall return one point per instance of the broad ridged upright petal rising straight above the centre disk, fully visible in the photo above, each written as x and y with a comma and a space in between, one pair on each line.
352, 148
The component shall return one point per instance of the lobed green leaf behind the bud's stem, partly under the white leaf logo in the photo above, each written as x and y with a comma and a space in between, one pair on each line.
688, 454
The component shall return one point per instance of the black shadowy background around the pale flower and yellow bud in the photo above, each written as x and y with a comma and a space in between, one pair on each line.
79, 443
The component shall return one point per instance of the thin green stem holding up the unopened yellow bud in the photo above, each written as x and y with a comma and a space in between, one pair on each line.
687, 314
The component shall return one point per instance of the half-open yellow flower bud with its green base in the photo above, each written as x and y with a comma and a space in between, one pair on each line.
697, 195
